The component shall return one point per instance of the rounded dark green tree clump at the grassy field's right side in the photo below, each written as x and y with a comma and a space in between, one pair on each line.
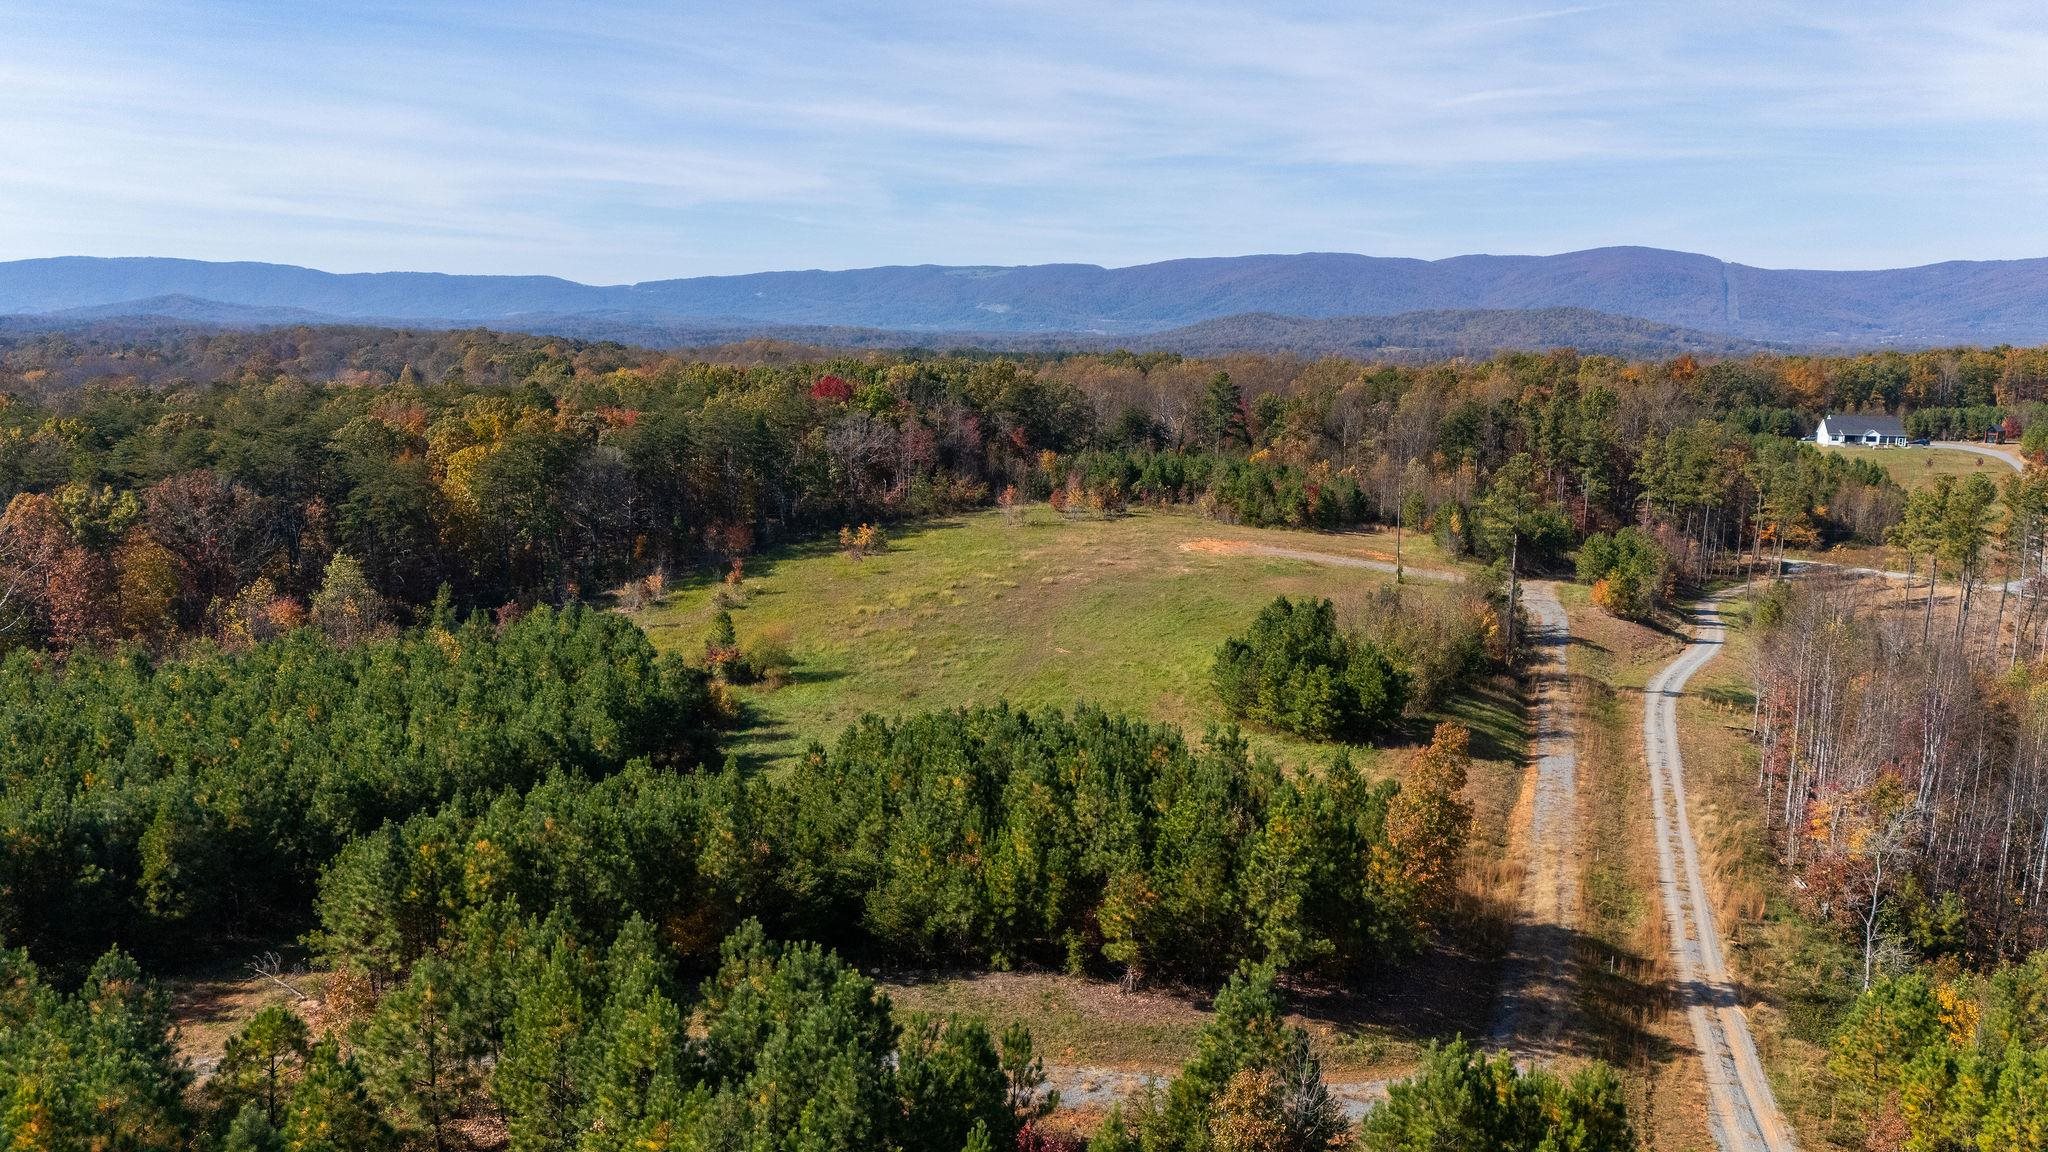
1297, 673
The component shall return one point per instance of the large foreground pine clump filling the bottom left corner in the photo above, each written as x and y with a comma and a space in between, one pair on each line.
568, 1044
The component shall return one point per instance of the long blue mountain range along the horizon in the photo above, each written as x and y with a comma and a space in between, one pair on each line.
1605, 298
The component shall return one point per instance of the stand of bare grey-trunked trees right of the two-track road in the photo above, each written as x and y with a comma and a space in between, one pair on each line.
1904, 768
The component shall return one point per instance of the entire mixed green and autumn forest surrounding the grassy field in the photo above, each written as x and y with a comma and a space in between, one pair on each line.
298, 641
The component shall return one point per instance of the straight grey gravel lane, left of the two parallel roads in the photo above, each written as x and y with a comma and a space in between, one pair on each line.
1537, 975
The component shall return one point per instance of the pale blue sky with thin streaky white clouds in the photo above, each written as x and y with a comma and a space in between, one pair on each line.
617, 142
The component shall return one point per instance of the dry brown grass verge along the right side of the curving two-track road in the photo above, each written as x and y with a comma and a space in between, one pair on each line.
1799, 973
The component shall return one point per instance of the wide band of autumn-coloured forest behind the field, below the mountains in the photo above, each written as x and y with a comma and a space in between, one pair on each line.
173, 485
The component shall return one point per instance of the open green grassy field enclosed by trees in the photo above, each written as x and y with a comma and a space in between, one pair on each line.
1035, 610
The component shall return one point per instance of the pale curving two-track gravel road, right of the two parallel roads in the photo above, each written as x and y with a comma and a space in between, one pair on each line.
1742, 1110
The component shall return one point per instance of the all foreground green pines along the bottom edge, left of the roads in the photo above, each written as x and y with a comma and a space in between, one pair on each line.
783, 1048
